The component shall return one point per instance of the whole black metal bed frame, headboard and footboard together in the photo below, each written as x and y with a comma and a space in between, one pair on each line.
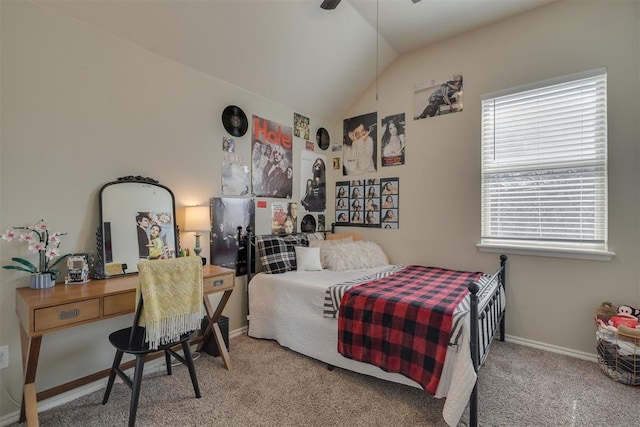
489, 317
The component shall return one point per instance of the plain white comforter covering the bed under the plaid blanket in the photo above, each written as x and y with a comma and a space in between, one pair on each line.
288, 308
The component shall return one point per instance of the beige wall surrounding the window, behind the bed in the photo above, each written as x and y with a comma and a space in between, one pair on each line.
550, 300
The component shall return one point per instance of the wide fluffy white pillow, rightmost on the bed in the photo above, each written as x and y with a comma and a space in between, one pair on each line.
351, 256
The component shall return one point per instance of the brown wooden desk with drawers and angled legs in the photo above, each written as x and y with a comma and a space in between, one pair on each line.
41, 311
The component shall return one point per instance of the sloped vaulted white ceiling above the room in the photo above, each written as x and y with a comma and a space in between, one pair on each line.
291, 51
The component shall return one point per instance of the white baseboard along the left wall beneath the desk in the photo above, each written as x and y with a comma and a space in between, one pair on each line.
150, 367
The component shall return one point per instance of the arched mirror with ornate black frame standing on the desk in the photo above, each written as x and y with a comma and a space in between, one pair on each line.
137, 221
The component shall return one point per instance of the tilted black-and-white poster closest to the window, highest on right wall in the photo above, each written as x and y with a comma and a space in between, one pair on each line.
437, 97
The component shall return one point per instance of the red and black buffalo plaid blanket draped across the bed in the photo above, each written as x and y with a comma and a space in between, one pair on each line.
402, 323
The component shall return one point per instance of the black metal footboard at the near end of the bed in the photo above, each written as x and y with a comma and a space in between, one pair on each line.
485, 319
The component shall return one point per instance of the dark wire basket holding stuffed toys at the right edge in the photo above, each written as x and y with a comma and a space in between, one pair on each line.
618, 354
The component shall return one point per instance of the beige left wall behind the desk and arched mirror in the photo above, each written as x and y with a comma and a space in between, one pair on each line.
81, 108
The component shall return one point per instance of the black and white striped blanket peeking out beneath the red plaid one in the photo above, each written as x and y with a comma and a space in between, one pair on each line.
334, 293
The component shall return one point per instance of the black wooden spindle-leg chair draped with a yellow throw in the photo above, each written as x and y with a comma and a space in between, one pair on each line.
133, 340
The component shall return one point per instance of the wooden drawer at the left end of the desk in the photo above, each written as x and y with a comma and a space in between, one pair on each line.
66, 314
